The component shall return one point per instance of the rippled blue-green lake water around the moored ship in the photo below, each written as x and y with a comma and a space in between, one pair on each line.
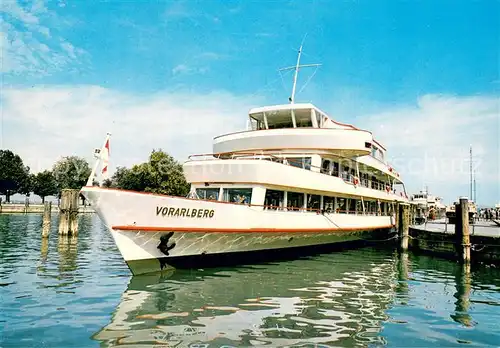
78, 292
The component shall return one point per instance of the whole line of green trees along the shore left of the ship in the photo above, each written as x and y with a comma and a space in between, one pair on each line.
160, 174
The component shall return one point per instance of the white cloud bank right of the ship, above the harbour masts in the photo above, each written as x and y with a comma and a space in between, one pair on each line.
429, 143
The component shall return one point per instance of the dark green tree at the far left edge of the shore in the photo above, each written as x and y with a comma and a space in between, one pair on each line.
14, 175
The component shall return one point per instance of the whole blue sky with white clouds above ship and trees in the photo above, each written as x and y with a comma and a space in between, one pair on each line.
423, 76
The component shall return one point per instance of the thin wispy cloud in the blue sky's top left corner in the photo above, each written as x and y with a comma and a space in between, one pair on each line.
27, 43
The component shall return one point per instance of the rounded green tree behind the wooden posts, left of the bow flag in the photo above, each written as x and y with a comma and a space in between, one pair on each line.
71, 172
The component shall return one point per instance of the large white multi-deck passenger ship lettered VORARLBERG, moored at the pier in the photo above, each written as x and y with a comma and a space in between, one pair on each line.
294, 178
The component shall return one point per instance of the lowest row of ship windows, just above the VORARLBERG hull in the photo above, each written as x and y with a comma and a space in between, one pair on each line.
297, 201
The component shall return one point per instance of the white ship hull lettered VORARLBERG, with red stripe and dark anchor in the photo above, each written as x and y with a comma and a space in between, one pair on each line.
156, 232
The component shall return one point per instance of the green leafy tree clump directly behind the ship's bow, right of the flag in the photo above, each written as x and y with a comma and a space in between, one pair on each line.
161, 174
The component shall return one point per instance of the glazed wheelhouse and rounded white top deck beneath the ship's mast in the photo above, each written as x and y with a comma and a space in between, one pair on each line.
295, 127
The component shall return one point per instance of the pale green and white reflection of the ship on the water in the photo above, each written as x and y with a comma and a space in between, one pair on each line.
329, 298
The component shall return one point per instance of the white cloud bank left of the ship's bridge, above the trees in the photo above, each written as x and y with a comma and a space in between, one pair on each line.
61, 121
